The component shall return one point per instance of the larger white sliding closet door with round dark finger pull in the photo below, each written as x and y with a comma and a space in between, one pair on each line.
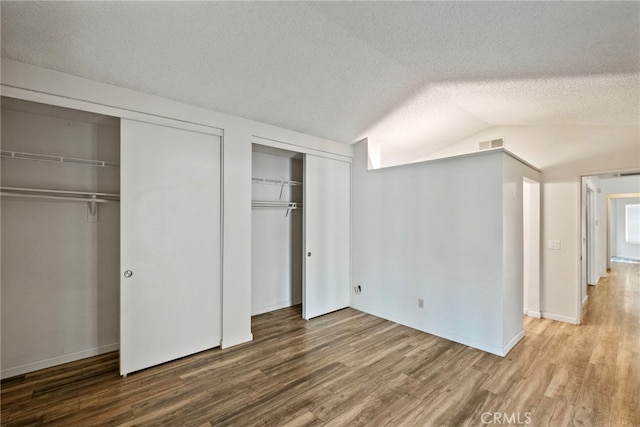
170, 244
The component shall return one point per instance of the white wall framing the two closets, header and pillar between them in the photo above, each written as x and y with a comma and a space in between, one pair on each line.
25, 81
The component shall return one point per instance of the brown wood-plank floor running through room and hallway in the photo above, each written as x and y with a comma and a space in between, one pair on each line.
349, 368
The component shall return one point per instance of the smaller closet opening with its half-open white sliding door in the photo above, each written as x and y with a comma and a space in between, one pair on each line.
300, 231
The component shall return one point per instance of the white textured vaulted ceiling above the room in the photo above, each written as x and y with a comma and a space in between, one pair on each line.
415, 75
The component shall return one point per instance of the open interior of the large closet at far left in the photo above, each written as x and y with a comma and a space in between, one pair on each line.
60, 181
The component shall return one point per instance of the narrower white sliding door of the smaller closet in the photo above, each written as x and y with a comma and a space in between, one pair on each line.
327, 213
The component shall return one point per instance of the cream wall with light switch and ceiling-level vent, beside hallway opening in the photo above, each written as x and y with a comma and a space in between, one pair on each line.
562, 154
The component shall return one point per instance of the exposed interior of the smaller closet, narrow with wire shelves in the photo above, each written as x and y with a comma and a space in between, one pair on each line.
277, 229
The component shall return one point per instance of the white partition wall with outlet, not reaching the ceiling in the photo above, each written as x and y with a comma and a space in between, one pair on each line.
435, 231
